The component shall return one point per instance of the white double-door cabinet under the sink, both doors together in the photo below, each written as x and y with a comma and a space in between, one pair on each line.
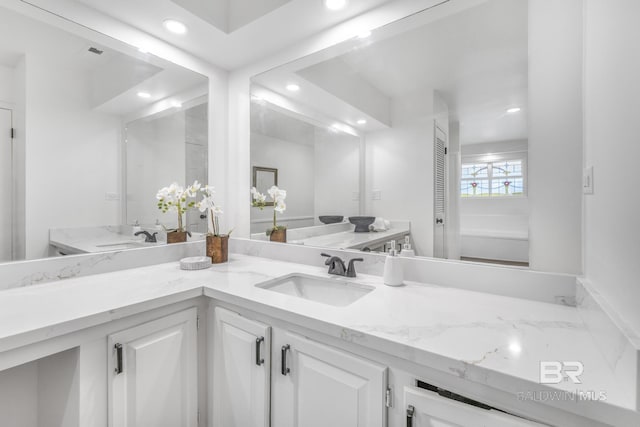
301, 383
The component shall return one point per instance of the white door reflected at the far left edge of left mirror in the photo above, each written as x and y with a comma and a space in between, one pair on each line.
6, 184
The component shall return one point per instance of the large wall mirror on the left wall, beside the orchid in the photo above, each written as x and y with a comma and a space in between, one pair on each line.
99, 127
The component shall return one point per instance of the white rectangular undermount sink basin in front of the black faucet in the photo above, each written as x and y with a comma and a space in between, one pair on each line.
334, 291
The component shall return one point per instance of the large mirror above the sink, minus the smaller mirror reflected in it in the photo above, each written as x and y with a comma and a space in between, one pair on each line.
439, 103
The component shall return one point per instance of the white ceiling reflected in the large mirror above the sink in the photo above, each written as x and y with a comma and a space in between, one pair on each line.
476, 58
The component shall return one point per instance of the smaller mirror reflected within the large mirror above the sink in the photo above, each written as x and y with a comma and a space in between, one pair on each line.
317, 166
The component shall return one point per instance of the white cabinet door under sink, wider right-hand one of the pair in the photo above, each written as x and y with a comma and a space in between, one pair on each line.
314, 385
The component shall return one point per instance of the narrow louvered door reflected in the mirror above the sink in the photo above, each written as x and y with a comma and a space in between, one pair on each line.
440, 193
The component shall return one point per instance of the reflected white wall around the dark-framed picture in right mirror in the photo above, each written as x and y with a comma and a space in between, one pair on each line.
296, 171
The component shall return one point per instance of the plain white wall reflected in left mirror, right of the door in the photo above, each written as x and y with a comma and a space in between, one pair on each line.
72, 155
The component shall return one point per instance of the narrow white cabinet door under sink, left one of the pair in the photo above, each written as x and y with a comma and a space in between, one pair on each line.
242, 371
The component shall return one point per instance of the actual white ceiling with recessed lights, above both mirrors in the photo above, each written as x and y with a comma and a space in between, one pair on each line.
229, 33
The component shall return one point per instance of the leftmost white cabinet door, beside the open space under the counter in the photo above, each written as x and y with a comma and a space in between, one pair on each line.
153, 373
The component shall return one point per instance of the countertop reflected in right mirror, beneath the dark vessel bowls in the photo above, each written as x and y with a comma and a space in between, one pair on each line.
352, 240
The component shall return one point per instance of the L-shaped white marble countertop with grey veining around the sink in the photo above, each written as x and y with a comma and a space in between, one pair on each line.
489, 339
